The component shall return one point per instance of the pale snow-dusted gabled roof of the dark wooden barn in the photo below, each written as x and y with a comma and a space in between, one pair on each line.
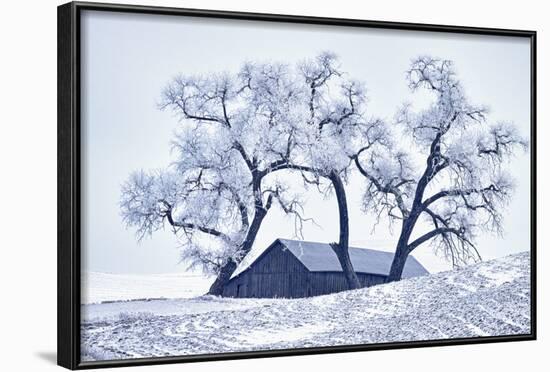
320, 257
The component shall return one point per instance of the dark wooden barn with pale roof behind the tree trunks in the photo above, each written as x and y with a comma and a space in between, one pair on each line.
296, 268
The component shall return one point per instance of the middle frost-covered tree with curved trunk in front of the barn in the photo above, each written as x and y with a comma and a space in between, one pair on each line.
336, 127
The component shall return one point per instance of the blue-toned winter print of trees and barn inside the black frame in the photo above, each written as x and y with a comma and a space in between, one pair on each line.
251, 186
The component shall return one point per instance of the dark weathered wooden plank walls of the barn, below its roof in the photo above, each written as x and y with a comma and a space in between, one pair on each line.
279, 274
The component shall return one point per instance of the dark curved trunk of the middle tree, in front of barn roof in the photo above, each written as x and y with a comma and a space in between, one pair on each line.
342, 248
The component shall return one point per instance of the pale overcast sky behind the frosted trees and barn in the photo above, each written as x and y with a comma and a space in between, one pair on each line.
127, 59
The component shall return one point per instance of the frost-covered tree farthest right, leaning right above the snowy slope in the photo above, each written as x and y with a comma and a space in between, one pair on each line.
460, 187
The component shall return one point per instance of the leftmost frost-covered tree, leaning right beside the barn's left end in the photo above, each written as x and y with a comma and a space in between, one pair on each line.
214, 196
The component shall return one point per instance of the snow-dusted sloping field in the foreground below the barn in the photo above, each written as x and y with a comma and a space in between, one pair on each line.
491, 298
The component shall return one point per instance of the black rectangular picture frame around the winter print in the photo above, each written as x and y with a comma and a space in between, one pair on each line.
69, 182
